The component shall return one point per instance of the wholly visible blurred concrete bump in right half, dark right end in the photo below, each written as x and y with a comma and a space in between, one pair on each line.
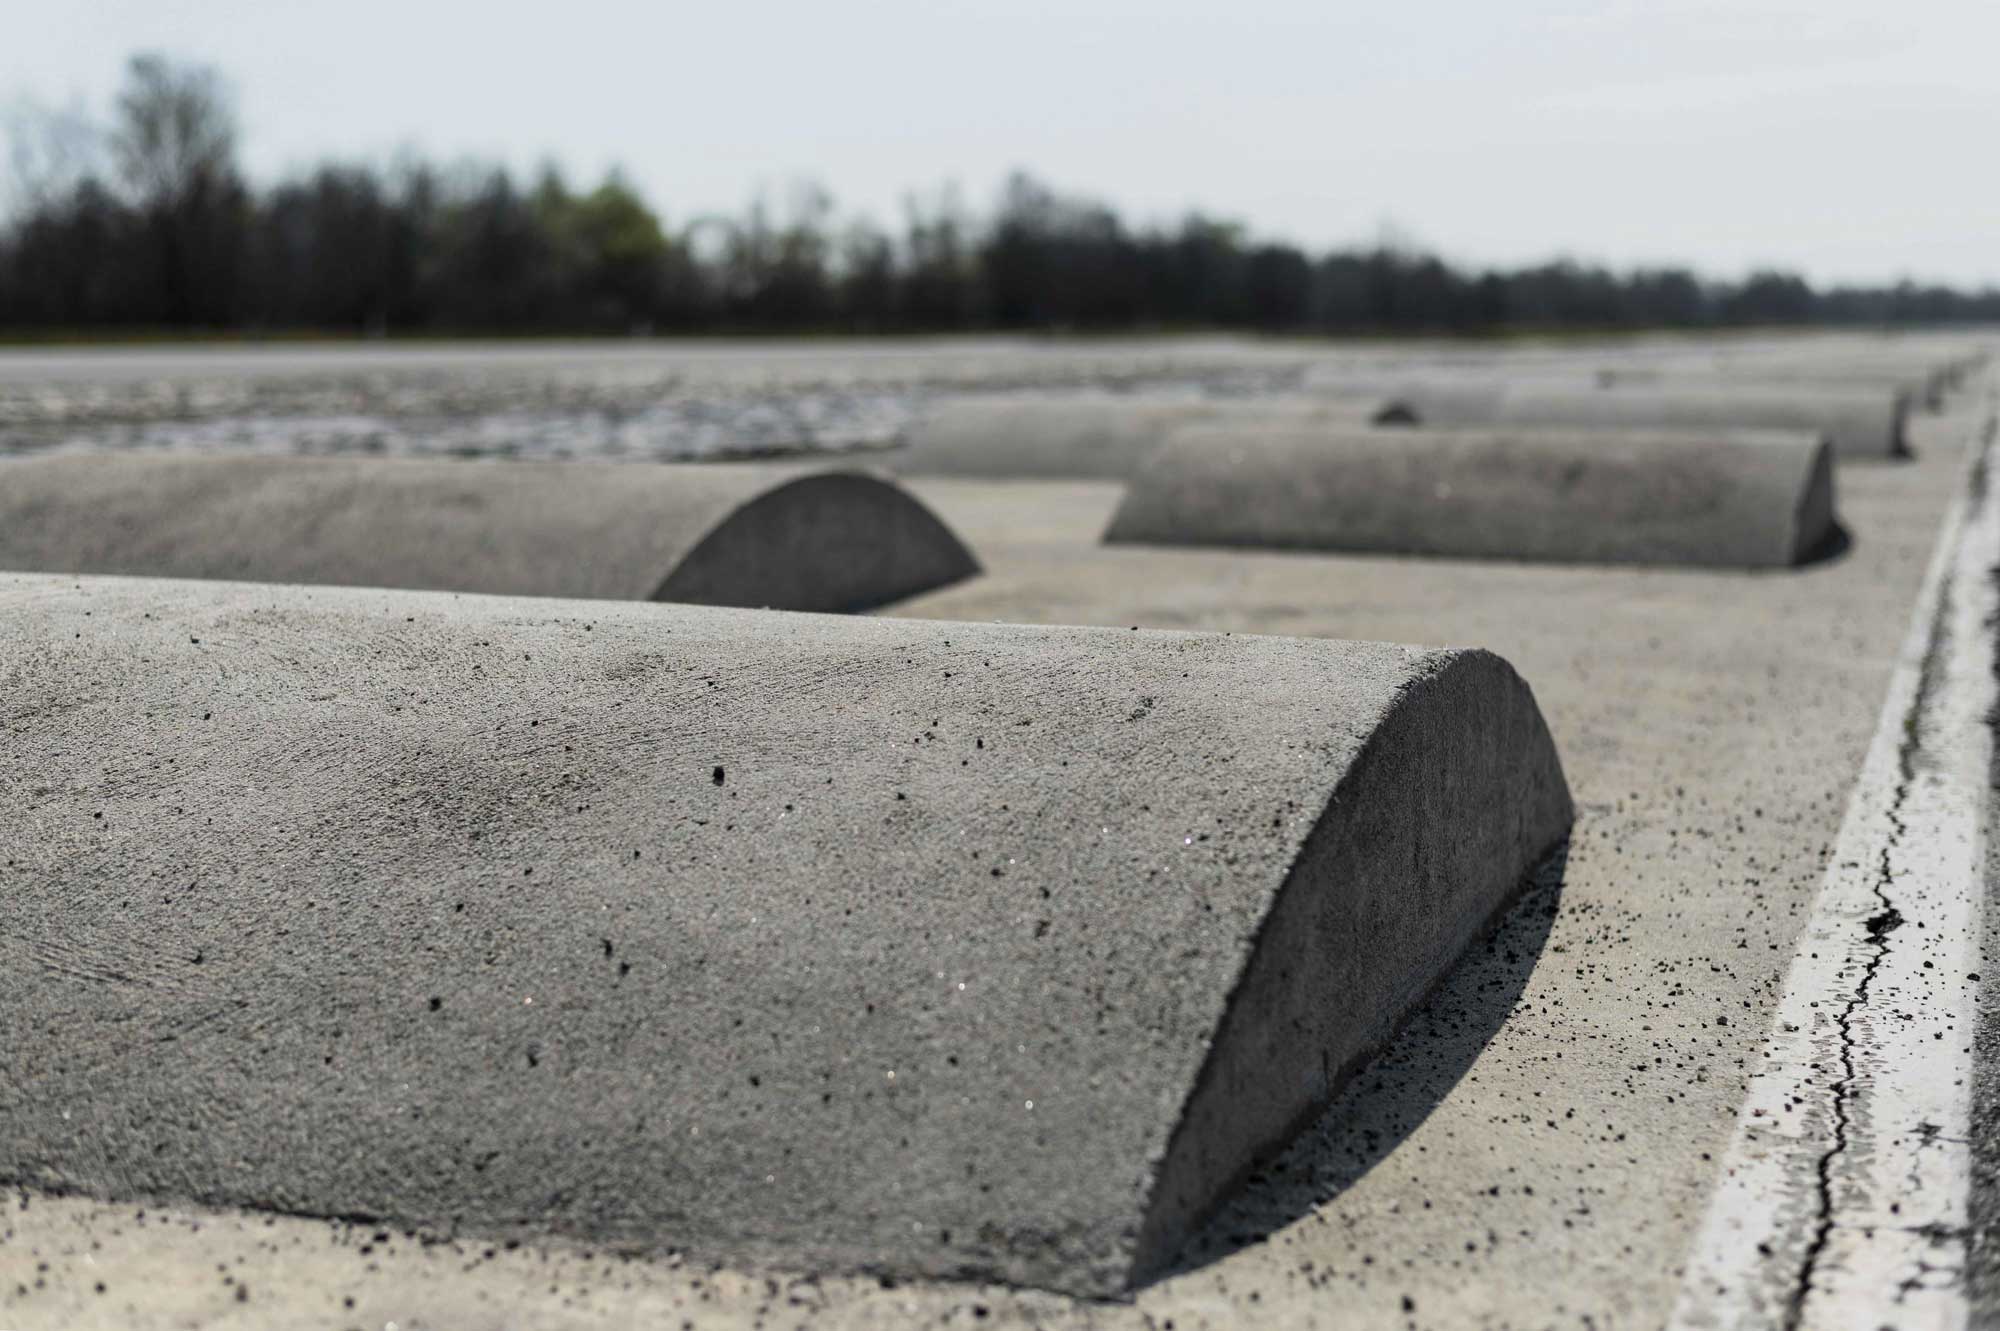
1625, 497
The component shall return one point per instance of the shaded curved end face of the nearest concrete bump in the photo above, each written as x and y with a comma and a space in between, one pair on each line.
1449, 808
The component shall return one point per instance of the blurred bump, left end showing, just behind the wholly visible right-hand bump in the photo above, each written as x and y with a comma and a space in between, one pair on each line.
1091, 439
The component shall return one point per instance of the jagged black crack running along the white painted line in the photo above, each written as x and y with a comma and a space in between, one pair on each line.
1885, 922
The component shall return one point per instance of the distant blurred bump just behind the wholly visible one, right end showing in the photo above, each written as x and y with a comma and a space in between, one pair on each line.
1857, 423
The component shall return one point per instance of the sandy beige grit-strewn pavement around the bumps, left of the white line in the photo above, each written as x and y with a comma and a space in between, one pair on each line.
1545, 1140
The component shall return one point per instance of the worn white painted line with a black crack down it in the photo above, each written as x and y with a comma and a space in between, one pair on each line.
1845, 1192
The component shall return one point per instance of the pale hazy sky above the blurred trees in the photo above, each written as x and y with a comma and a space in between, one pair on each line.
1849, 139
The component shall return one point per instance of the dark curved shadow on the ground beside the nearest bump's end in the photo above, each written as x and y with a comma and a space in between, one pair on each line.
1397, 1090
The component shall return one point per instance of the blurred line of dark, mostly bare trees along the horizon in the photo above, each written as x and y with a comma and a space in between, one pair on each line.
151, 225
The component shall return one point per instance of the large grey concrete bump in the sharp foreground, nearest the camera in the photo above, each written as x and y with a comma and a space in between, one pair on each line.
843, 944
